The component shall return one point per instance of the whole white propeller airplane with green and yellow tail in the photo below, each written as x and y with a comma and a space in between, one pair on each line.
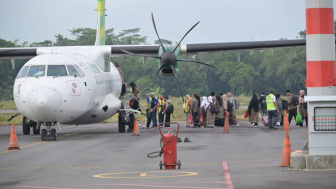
75, 85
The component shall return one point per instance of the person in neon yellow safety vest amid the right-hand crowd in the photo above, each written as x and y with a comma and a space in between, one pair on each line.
272, 110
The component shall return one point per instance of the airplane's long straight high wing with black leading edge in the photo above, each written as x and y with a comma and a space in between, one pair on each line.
24, 52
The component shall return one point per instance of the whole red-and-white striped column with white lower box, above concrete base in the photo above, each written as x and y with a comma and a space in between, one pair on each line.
321, 75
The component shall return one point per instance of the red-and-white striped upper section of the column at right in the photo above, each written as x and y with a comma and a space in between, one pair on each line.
321, 73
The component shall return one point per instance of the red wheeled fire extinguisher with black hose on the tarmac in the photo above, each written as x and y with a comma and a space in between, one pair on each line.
168, 143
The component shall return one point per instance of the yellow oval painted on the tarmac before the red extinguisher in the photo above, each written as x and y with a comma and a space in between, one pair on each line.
153, 174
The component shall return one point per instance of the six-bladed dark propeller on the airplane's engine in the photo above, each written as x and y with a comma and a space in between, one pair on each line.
167, 58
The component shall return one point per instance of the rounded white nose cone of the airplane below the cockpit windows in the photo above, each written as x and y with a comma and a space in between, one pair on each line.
43, 103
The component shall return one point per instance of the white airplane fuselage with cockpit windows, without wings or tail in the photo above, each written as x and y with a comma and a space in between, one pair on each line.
48, 89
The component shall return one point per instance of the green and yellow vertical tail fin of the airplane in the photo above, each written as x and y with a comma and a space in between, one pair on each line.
100, 36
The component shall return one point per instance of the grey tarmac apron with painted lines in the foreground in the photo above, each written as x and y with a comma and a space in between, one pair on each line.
97, 156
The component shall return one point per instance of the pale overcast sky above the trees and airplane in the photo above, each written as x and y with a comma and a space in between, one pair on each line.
220, 20
